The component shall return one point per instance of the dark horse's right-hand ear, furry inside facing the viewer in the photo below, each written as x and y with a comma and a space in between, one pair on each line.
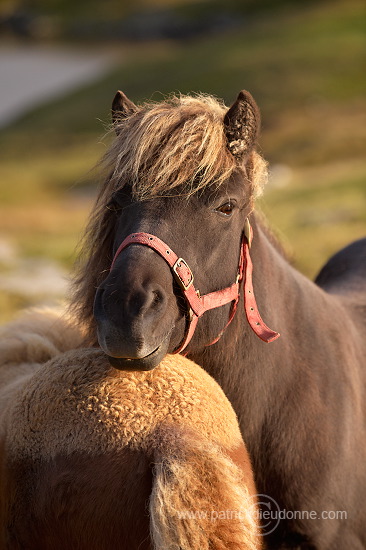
242, 123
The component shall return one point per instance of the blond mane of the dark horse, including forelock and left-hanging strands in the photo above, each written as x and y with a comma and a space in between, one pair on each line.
175, 147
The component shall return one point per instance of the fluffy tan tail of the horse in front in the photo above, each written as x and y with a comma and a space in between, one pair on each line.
208, 488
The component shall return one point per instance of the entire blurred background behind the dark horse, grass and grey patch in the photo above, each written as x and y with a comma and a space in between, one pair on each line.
61, 62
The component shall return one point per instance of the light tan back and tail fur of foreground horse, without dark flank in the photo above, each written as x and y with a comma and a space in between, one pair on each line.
75, 402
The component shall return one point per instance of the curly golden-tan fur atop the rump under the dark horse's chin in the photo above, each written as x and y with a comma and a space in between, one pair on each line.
80, 389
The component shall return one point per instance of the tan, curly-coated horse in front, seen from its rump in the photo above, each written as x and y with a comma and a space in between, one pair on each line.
93, 458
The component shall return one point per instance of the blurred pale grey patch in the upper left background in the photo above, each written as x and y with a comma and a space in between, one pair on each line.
30, 75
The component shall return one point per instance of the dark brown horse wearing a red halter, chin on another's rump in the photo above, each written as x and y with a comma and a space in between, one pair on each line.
177, 203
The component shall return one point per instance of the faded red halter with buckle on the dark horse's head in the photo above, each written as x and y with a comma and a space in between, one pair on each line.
199, 304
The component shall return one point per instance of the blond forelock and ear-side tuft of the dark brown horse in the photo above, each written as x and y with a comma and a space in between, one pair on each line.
176, 147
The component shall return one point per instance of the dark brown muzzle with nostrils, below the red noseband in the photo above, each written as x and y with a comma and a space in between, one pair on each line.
136, 312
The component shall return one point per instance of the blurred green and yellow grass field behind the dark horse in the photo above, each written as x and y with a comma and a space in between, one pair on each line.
303, 64
